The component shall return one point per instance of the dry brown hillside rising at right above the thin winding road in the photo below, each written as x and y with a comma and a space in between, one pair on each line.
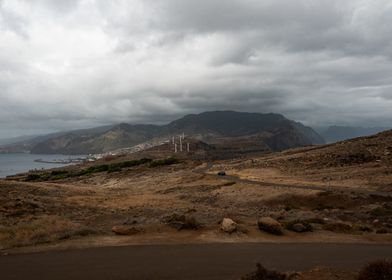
364, 162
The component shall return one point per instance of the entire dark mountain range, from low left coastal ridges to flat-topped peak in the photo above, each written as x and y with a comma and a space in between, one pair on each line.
269, 131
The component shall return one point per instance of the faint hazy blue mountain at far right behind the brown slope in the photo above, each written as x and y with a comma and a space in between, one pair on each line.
334, 134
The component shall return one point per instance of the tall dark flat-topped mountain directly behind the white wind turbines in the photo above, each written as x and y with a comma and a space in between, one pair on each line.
278, 132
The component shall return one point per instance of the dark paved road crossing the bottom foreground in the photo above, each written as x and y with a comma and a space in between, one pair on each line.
196, 261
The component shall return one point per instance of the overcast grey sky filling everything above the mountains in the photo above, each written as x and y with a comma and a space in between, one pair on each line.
80, 63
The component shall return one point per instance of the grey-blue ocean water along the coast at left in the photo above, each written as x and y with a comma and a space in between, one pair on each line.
11, 164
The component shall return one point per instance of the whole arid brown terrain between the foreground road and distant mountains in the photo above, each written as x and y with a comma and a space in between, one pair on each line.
340, 193
